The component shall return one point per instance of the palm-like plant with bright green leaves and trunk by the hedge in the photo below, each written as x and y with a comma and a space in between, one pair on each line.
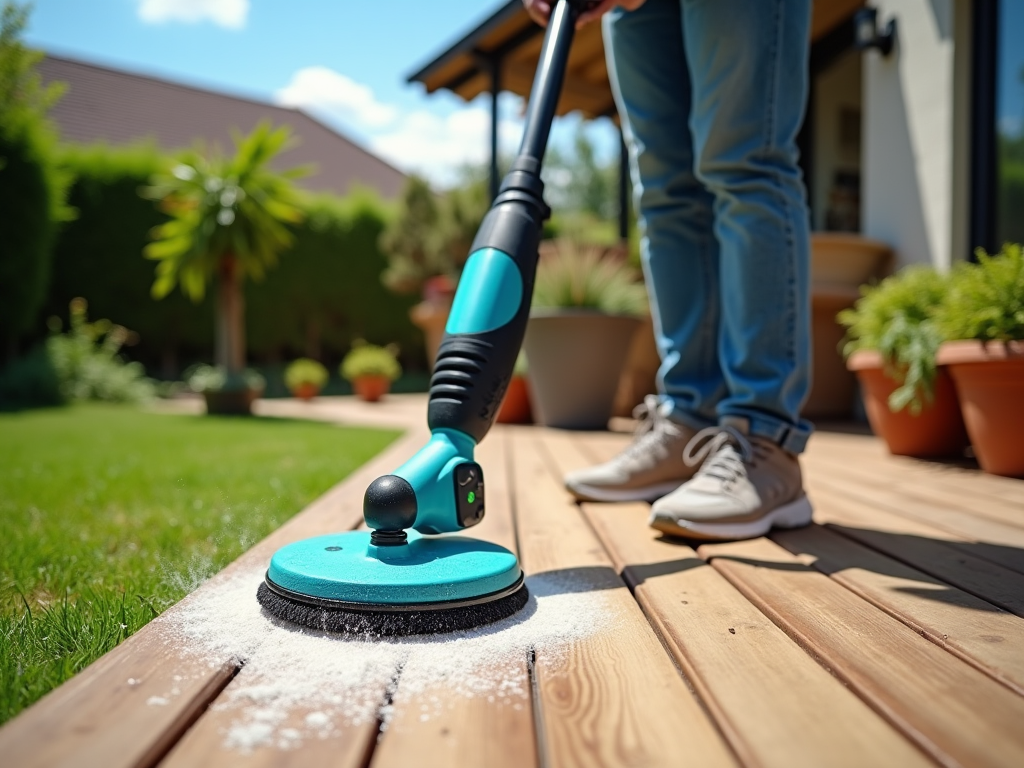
229, 222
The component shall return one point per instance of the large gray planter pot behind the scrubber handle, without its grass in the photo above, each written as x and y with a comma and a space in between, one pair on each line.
576, 360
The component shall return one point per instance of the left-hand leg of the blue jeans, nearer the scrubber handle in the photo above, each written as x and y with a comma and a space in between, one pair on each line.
652, 83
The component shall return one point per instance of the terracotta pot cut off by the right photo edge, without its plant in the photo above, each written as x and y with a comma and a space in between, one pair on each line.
990, 379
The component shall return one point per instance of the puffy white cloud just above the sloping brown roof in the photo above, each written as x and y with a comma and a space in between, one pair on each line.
336, 97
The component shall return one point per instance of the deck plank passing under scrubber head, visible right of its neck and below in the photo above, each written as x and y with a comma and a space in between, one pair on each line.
441, 728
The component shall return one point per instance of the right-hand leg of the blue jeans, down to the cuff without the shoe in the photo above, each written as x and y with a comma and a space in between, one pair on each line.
749, 66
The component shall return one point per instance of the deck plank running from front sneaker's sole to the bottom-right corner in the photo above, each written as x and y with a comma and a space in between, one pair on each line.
953, 711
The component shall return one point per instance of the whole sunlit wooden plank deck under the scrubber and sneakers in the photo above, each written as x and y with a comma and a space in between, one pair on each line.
889, 633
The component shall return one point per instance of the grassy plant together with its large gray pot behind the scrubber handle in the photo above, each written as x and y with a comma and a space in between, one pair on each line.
587, 305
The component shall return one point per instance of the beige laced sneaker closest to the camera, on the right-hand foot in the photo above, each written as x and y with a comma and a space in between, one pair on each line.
746, 486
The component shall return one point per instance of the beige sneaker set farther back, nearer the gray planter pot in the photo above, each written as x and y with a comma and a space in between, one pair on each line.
650, 468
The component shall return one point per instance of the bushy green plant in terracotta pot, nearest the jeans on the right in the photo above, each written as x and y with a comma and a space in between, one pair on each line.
891, 345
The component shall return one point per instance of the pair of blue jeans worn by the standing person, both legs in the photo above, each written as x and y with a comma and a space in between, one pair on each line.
712, 95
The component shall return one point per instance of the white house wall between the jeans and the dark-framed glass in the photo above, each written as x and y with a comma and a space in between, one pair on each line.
914, 160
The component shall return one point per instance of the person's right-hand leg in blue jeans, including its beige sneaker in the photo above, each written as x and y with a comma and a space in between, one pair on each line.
749, 70
